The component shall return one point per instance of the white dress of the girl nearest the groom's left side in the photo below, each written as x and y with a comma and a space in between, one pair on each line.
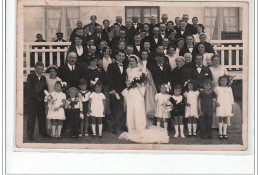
97, 105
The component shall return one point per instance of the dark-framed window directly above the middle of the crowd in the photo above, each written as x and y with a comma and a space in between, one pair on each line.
144, 13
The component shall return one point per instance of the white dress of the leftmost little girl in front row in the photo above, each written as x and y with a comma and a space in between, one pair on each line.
56, 101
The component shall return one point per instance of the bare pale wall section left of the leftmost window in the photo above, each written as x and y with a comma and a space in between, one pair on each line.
34, 22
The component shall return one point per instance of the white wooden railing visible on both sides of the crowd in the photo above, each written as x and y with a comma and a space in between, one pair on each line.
230, 51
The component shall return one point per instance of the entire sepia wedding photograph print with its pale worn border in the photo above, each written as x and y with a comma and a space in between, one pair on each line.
132, 75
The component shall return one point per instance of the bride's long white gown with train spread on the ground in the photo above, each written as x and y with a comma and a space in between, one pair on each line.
138, 129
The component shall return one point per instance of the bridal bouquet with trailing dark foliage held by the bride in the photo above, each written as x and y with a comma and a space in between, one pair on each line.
136, 79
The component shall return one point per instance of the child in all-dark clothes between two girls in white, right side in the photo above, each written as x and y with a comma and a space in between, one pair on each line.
206, 104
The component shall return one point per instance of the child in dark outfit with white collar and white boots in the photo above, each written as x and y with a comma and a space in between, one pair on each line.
178, 110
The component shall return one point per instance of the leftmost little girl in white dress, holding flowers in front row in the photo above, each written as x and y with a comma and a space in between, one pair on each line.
56, 103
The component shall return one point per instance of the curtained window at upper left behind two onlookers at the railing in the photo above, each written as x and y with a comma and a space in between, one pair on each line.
61, 20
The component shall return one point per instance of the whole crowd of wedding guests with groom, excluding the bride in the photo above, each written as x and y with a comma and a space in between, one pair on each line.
85, 89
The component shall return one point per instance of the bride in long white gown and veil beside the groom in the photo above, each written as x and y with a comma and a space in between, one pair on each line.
139, 100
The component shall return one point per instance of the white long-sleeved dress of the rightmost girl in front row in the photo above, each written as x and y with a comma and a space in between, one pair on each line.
225, 99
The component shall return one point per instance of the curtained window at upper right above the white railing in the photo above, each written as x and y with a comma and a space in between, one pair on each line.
221, 19
